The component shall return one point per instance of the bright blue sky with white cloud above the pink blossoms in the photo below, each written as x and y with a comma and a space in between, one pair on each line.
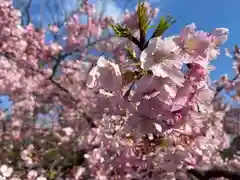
207, 14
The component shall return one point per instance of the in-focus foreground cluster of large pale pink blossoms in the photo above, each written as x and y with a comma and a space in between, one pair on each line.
157, 88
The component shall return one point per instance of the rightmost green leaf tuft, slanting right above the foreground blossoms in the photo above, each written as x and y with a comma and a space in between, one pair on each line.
163, 25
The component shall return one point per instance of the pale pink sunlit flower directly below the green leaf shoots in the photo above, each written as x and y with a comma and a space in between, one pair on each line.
159, 57
